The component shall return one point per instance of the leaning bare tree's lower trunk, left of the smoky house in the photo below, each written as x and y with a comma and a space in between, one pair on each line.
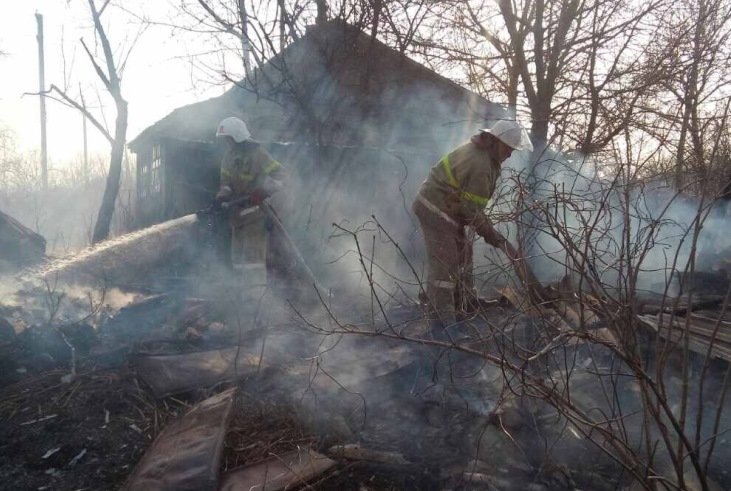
106, 210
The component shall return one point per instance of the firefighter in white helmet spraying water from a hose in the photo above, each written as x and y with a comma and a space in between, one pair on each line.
249, 175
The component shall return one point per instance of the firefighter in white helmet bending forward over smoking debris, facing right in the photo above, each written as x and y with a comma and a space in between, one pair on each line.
450, 207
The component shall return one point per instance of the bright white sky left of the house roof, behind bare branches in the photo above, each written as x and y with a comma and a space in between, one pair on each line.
157, 78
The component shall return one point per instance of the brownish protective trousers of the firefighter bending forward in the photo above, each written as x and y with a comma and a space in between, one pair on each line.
449, 253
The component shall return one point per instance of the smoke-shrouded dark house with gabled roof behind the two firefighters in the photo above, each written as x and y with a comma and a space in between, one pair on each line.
352, 119
